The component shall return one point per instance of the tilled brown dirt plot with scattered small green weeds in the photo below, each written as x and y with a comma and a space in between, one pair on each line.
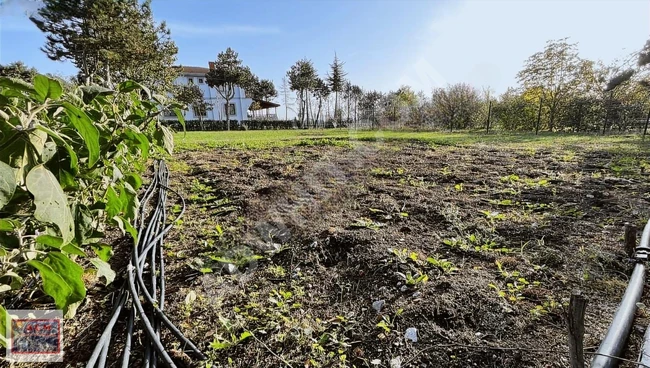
325, 254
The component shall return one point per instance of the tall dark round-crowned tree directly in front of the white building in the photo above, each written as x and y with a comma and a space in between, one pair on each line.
229, 73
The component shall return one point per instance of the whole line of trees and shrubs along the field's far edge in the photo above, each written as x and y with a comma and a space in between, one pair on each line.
110, 41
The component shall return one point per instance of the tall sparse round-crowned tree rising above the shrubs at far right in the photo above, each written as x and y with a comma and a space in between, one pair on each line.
555, 72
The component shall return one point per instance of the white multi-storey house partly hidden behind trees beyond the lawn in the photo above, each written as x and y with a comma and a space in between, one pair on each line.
239, 104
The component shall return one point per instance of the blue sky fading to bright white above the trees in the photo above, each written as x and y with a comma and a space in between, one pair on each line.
383, 43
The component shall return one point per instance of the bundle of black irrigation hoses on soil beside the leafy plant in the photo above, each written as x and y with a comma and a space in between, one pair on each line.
146, 258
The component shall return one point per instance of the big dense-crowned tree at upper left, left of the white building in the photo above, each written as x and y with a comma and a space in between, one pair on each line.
109, 40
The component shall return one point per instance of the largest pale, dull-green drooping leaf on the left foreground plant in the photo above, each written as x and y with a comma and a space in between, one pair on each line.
51, 203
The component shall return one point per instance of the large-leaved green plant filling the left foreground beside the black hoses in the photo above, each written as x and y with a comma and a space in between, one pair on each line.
70, 166
